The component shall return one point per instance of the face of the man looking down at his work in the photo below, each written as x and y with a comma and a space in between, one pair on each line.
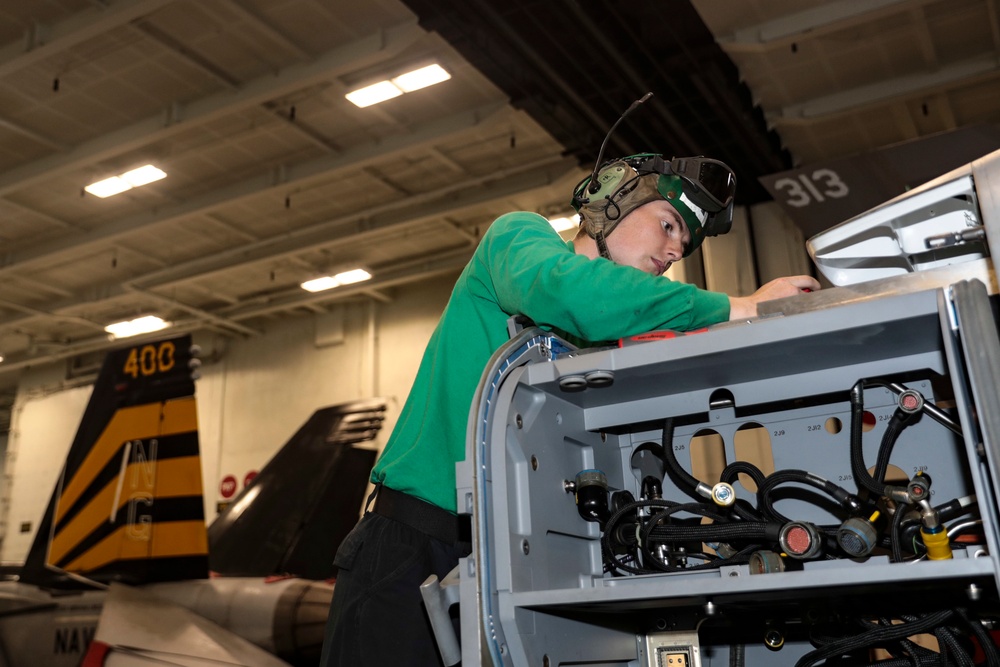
650, 238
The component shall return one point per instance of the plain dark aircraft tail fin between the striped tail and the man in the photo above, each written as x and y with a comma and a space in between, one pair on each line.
296, 511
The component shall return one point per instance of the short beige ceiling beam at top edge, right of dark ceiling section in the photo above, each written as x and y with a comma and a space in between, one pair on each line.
810, 23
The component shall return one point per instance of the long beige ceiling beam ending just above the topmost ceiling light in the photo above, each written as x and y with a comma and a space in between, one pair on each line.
372, 49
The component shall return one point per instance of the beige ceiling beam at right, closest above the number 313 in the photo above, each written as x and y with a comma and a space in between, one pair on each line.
885, 91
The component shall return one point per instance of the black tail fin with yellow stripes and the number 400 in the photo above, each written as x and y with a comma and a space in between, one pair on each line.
128, 505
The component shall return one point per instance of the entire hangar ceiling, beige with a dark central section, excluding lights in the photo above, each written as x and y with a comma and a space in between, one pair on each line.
274, 177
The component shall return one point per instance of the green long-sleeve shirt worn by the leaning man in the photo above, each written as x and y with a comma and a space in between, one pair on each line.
522, 266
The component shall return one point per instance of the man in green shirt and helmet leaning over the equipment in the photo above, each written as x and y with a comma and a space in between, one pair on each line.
638, 216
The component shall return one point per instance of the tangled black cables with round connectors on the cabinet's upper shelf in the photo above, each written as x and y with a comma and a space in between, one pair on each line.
645, 536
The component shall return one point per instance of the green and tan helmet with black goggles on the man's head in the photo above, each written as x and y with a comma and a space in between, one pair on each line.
700, 189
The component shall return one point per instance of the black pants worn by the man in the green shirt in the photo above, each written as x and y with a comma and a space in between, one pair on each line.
377, 617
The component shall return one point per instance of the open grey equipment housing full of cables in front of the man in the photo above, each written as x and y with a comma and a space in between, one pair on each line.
816, 486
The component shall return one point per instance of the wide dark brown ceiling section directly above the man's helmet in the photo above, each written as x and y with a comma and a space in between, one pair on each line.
629, 51
